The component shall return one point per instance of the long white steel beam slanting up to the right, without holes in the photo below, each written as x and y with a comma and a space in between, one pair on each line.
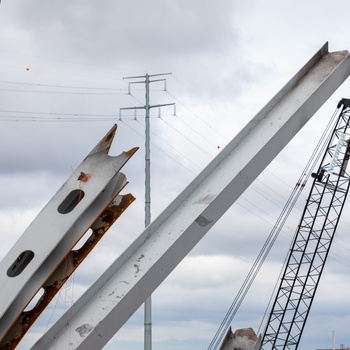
116, 295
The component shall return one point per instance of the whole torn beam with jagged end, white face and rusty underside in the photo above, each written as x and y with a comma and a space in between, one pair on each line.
76, 207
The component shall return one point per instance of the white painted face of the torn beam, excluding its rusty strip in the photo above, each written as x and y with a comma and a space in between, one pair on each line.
52, 235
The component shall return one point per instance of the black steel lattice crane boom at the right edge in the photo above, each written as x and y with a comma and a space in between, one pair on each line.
312, 240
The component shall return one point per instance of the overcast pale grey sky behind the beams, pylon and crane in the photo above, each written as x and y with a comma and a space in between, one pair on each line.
62, 65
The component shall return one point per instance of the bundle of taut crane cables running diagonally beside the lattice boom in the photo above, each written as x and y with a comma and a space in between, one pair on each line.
313, 161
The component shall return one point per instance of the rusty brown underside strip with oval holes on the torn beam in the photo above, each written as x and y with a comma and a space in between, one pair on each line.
63, 271
